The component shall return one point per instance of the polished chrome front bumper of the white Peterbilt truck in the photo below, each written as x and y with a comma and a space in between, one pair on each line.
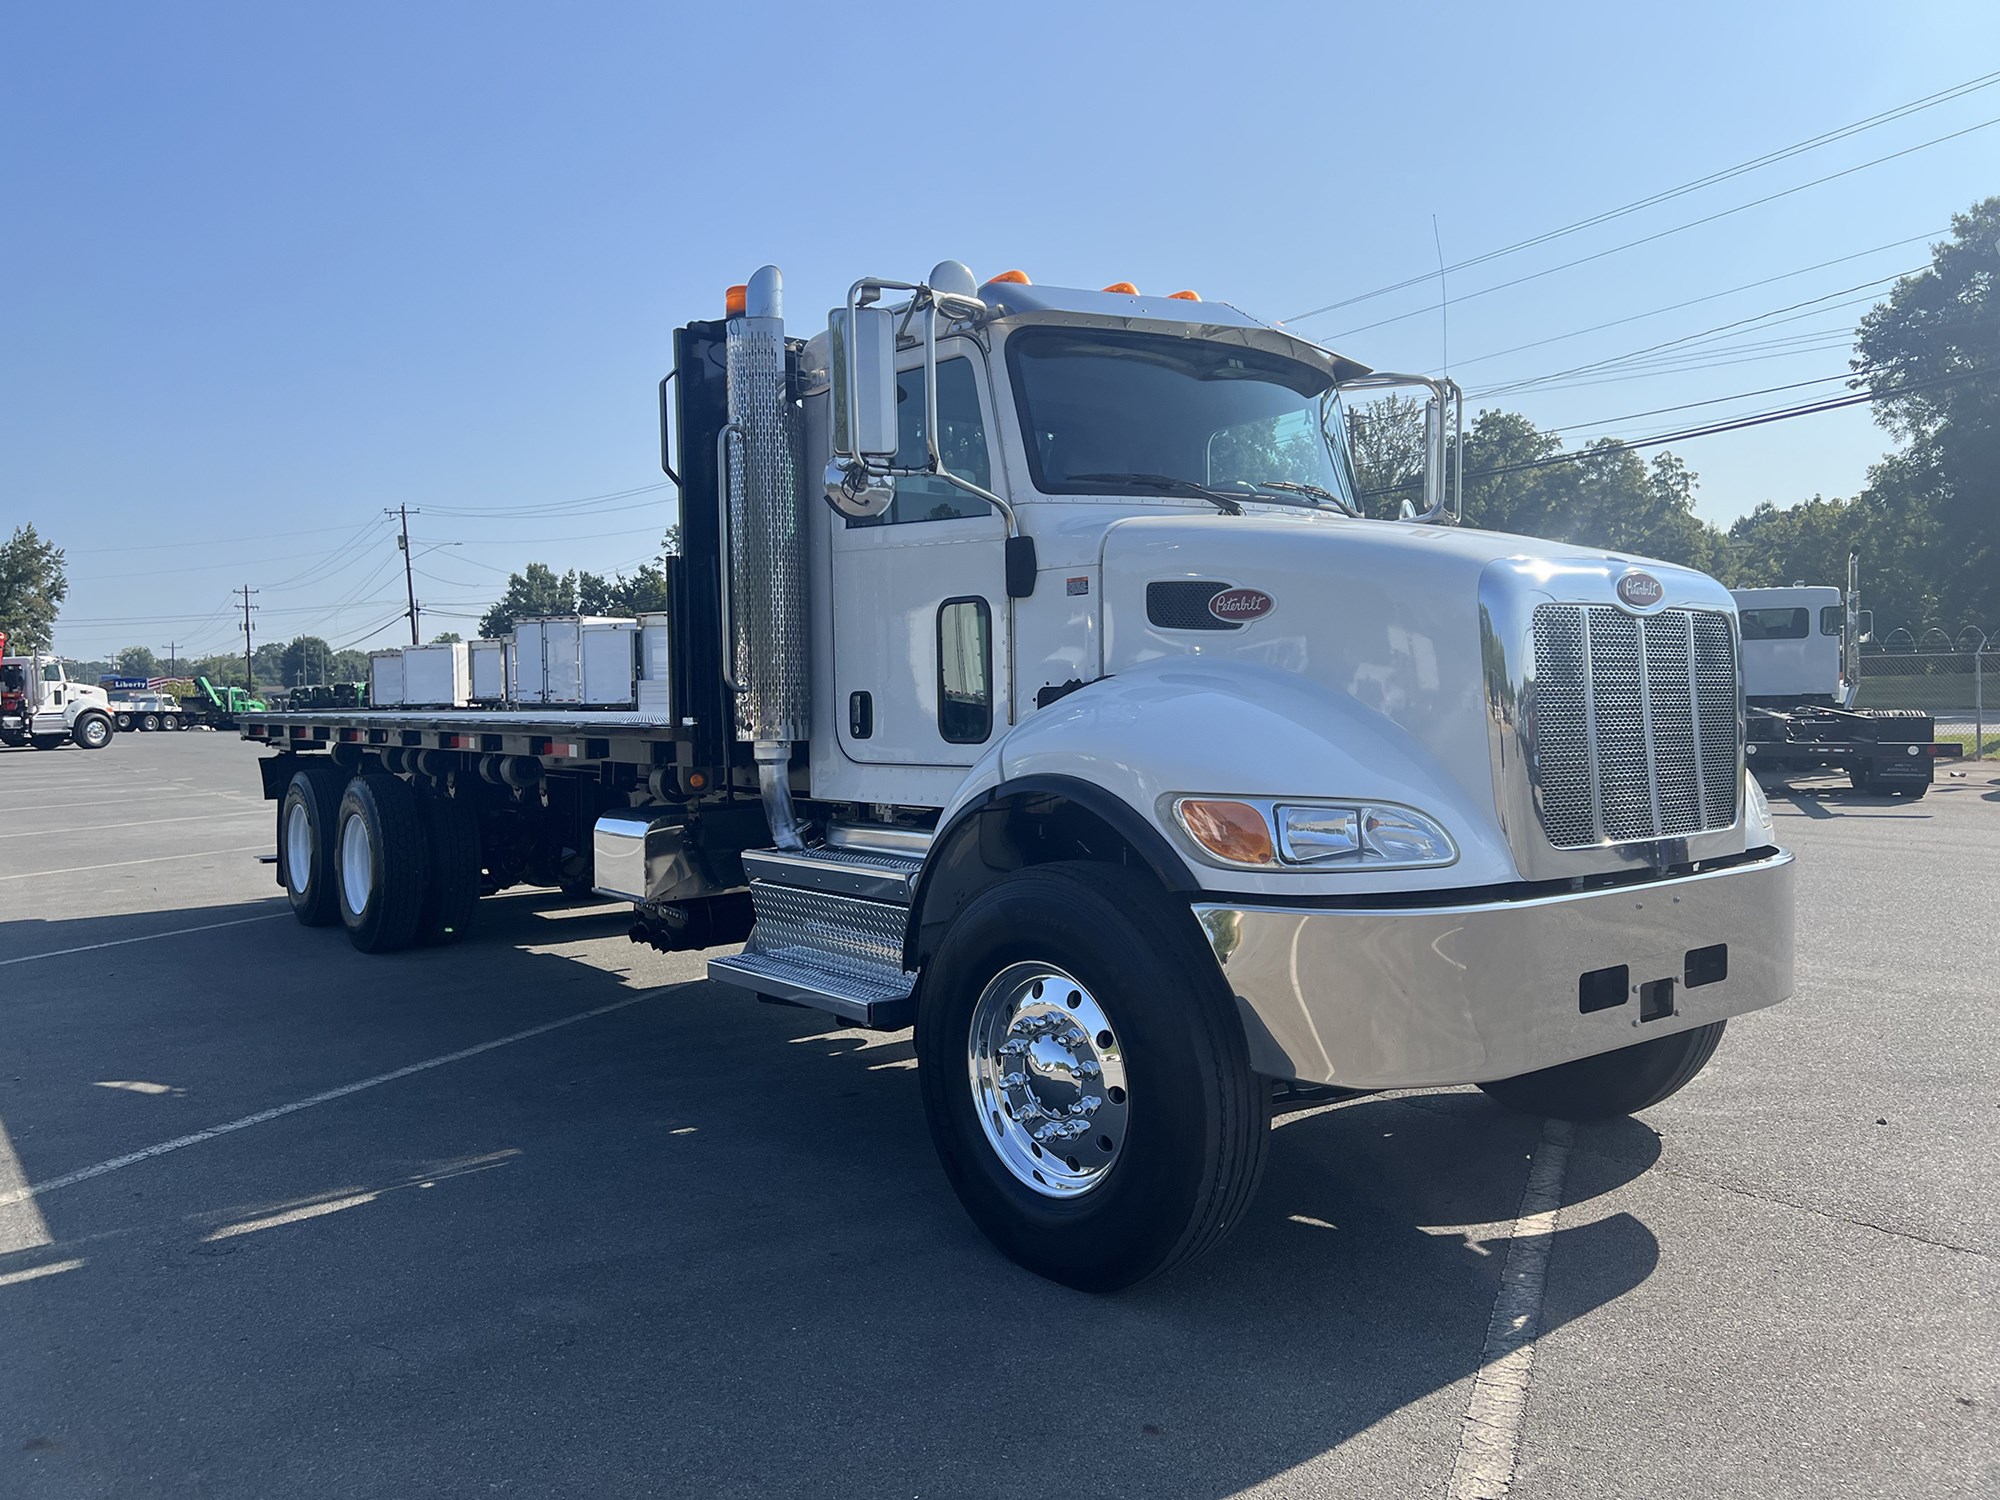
1461, 995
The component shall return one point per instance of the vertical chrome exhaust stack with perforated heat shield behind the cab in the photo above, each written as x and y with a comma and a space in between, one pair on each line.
765, 549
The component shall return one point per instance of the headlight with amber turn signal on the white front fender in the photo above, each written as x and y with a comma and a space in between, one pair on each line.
1267, 835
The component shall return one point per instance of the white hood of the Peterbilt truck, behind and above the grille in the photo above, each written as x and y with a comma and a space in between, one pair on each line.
1381, 615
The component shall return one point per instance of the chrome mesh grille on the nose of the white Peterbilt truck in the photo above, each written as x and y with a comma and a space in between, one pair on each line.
1635, 725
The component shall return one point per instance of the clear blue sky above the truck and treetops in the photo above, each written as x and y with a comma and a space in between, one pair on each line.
269, 269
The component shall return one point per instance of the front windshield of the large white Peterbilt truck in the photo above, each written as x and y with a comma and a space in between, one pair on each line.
1099, 405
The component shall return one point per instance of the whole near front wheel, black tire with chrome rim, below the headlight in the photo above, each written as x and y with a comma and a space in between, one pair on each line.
1087, 1079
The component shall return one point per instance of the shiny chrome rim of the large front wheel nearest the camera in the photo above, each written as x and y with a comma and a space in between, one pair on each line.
1049, 1081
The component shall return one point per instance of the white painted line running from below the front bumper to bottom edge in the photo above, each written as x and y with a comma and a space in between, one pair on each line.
1489, 1441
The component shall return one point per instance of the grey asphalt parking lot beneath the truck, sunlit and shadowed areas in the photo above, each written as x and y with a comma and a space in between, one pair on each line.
549, 1215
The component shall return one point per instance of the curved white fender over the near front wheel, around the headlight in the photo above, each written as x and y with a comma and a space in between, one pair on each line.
1239, 729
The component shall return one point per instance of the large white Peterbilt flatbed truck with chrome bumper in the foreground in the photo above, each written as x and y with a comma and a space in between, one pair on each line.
1035, 679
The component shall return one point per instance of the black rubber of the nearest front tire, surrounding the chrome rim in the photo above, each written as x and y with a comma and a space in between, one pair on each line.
1197, 1119
